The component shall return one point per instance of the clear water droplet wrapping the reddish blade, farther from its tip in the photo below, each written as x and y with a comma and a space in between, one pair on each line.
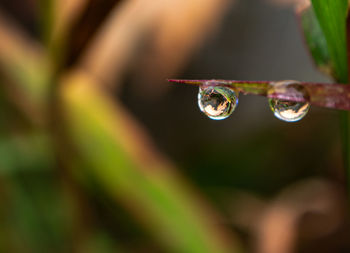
287, 110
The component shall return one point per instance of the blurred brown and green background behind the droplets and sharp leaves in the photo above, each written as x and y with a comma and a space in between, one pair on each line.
99, 153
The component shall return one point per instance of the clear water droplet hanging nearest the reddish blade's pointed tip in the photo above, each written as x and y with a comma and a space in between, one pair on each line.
217, 102
